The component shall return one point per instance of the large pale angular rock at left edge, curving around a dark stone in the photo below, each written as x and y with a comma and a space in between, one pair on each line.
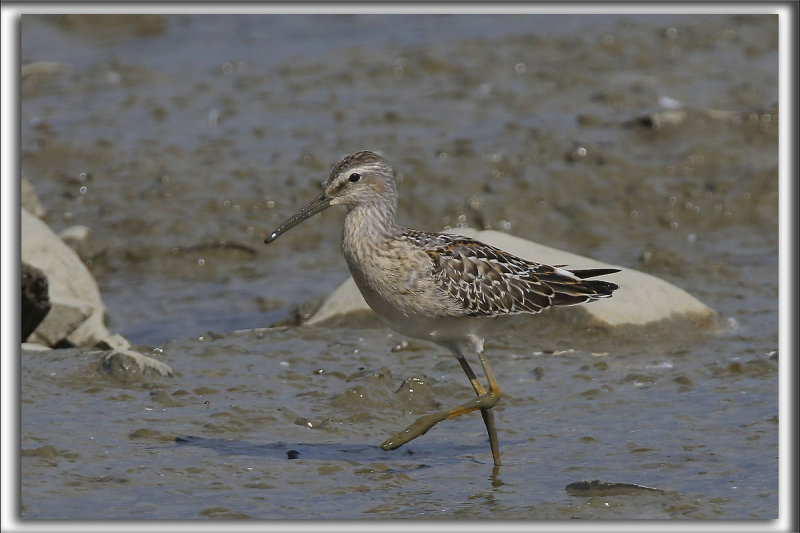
77, 312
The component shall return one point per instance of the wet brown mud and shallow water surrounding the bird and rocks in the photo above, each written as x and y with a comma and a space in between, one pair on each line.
181, 140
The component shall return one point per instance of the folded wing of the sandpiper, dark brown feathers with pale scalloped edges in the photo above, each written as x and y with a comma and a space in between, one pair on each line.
488, 281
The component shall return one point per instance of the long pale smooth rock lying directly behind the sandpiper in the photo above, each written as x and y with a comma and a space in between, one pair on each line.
641, 299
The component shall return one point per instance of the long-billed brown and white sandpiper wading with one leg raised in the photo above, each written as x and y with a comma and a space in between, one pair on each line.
437, 287
